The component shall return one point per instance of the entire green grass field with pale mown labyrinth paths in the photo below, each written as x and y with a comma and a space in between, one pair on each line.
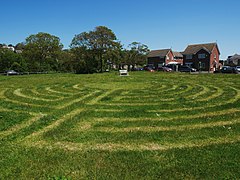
102, 126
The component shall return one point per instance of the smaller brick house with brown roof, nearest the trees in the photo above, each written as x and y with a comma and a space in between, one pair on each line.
158, 58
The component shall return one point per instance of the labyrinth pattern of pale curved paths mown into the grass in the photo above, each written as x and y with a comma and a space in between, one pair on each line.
159, 117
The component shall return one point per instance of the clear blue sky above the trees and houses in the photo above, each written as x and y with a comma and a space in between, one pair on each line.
156, 23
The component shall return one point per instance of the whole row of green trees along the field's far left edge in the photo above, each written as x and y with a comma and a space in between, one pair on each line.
98, 50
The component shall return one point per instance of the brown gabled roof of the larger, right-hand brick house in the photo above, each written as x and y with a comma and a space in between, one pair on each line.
194, 48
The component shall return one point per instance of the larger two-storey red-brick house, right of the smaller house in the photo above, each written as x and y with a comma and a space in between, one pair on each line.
202, 56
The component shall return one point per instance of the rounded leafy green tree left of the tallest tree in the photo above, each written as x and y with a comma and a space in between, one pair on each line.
42, 50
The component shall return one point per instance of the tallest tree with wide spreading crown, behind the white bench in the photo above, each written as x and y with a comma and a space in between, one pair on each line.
97, 42
